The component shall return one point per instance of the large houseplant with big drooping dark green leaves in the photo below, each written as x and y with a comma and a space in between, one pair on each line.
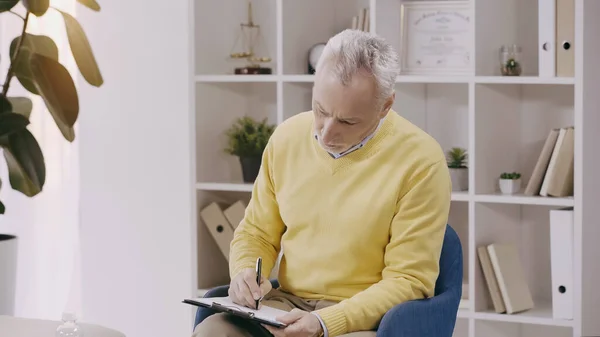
34, 62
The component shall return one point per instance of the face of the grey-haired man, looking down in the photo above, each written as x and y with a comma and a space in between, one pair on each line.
345, 115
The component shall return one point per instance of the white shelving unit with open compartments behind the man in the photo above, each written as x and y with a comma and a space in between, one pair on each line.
501, 121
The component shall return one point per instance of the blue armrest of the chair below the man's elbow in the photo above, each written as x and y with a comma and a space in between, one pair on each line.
431, 317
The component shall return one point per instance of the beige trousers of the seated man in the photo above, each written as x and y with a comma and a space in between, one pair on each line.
225, 325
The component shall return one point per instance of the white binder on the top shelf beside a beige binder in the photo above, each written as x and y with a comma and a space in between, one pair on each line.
547, 38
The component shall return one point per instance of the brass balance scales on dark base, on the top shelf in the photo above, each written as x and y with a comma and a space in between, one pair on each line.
251, 38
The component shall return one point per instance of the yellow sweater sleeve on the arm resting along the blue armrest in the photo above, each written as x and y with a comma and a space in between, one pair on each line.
411, 256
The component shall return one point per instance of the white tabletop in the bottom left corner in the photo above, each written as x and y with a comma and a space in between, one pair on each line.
25, 327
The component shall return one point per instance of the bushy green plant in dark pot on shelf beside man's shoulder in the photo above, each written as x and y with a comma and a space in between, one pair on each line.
247, 140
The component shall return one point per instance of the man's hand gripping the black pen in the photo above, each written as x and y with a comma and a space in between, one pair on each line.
244, 290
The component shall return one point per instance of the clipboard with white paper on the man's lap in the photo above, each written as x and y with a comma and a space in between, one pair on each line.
266, 315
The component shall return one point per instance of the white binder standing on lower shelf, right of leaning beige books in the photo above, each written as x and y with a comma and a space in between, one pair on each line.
561, 257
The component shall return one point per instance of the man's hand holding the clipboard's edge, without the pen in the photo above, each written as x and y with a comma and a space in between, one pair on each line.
300, 324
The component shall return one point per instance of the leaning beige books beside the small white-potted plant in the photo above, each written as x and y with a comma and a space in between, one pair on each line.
553, 172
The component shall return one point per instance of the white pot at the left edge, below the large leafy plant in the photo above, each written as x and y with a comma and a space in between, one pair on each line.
8, 274
